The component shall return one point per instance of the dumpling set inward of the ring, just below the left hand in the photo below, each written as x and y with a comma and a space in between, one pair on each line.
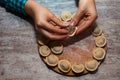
56, 47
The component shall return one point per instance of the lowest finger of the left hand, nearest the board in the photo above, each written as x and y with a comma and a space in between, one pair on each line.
52, 36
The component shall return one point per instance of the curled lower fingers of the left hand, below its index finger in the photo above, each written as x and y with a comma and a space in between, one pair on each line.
51, 31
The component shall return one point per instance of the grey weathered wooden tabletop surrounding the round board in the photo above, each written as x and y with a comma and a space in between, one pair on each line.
19, 58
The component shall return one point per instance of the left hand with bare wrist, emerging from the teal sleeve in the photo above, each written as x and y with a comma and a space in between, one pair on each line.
42, 16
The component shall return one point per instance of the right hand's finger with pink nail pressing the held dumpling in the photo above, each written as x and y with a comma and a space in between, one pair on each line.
77, 17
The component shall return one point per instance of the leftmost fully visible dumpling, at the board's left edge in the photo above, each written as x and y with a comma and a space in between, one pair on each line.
44, 50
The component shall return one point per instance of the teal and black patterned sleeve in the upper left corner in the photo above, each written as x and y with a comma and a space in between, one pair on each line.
14, 5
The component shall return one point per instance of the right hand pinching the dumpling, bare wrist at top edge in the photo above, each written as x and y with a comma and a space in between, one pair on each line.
85, 15
